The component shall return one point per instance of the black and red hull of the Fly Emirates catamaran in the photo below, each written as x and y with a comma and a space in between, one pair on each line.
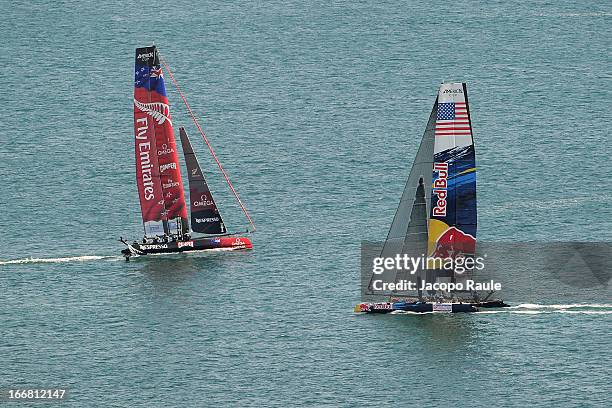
197, 244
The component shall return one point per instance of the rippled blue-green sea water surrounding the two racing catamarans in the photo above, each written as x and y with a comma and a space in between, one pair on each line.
316, 110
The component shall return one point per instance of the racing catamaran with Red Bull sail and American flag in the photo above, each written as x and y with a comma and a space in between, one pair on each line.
436, 218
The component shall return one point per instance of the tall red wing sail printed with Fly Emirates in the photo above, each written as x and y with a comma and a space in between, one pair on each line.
152, 109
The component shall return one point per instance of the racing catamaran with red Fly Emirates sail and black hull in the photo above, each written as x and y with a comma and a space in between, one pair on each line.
160, 185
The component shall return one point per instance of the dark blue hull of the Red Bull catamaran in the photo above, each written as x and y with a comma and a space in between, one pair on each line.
425, 307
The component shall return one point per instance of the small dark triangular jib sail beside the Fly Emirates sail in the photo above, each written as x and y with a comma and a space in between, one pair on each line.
205, 216
